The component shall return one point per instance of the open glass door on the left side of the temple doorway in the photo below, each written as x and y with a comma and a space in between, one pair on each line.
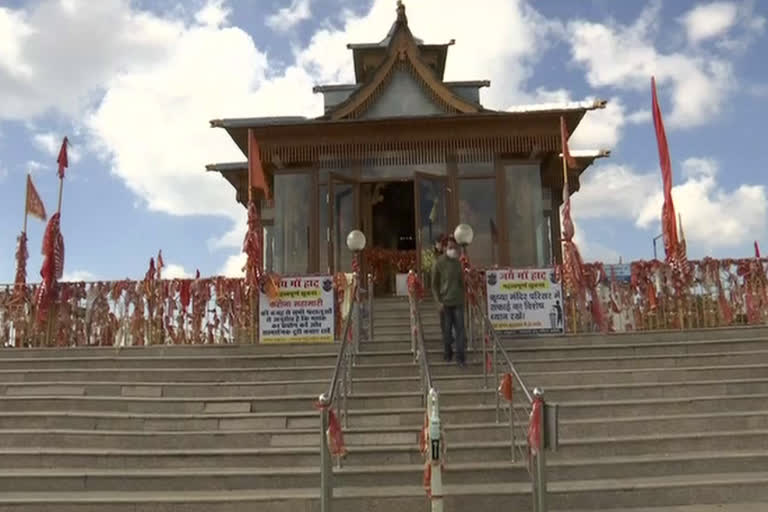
343, 214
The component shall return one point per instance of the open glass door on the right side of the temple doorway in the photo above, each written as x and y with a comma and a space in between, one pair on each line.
431, 200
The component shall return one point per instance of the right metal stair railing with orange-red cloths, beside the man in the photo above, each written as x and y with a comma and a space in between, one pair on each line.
540, 418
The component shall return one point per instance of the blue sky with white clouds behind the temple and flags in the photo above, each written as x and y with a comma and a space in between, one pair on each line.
134, 84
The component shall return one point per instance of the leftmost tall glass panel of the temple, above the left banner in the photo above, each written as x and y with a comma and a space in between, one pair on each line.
292, 223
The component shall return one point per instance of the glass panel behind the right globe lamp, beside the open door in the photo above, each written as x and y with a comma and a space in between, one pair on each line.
477, 207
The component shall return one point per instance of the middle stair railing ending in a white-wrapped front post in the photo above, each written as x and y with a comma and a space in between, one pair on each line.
432, 438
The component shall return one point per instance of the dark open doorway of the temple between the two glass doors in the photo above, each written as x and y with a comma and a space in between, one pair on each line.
389, 221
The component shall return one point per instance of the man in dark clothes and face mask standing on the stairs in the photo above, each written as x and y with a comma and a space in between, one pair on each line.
448, 290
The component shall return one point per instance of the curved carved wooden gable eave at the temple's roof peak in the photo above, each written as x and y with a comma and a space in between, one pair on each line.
403, 53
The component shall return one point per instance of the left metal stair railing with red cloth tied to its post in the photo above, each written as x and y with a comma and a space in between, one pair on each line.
339, 389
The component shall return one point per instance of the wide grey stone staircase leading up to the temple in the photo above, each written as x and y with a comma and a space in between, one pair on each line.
647, 420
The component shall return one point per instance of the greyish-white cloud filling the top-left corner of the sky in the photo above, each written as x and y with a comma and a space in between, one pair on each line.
63, 53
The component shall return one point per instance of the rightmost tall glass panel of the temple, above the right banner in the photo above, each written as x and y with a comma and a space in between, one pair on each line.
528, 232
